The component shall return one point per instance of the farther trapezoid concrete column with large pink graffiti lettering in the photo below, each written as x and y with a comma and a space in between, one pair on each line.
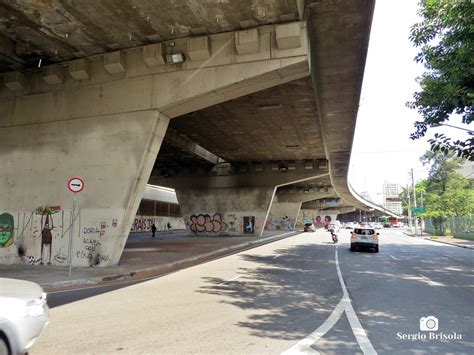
226, 210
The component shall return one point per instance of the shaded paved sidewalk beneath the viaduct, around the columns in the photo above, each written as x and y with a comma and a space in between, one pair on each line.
142, 257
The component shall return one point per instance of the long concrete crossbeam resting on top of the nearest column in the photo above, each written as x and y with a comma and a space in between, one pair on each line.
172, 89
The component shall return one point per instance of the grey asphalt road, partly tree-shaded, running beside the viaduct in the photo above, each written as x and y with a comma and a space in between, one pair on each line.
299, 295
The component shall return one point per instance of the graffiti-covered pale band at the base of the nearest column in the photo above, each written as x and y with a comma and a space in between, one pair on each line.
39, 237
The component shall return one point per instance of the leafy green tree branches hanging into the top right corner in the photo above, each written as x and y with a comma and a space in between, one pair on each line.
445, 36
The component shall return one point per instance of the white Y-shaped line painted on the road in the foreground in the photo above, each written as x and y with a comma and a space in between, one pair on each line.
345, 305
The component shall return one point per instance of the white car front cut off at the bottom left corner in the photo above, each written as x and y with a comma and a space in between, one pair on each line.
23, 315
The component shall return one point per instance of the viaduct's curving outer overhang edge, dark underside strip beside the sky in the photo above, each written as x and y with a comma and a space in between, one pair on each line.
337, 68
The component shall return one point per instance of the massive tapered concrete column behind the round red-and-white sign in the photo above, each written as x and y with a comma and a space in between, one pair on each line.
114, 155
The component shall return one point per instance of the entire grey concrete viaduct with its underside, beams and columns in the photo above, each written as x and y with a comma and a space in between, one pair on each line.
246, 108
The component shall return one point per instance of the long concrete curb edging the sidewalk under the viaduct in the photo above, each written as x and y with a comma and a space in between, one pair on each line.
161, 269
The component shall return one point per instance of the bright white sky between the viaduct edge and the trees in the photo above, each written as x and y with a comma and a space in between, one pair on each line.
382, 150
